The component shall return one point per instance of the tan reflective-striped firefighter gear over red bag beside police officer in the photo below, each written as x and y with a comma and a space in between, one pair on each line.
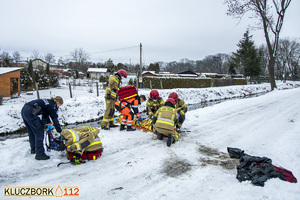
82, 143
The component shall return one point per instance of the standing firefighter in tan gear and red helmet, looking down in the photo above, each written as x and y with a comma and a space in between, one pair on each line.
111, 98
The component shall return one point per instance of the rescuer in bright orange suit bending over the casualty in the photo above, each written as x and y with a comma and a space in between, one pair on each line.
129, 108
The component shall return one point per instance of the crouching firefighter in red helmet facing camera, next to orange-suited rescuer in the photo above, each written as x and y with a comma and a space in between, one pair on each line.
154, 103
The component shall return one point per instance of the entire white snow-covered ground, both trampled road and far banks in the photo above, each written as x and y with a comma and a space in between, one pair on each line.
135, 165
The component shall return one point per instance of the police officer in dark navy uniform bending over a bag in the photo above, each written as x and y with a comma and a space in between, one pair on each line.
35, 126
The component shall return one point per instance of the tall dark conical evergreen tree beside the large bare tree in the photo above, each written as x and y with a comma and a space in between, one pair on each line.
247, 57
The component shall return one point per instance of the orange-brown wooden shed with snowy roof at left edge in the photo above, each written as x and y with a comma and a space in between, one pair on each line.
10, 81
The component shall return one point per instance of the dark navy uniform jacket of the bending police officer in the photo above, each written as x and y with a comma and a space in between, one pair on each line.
48, 108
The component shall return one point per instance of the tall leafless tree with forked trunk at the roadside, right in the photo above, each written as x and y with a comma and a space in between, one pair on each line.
271, 15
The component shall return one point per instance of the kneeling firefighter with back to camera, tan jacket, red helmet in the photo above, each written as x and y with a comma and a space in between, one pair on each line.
164, 121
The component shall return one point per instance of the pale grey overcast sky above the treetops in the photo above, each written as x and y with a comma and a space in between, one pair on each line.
168, 29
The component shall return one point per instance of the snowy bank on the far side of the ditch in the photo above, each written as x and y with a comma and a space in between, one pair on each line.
86, 106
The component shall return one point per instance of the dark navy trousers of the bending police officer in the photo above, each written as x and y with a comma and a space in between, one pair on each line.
35, 130
